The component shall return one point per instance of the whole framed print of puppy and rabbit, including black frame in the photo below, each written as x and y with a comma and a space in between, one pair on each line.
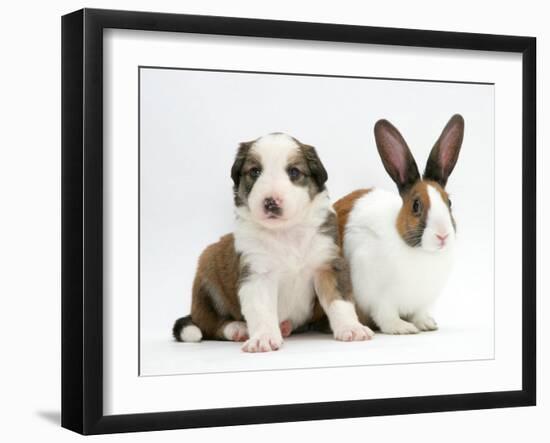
269, 221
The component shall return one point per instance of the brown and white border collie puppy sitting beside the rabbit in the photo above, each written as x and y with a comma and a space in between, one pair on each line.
281, 268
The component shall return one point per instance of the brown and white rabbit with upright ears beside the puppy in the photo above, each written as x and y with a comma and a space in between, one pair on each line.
400, 247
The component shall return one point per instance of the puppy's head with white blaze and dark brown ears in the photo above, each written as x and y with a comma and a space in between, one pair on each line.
275, 179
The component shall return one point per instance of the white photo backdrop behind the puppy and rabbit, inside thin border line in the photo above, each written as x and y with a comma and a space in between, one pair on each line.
191, 123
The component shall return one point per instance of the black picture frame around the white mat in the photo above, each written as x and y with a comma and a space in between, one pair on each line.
82, 220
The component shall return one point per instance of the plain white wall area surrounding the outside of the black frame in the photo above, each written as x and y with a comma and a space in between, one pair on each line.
30, 183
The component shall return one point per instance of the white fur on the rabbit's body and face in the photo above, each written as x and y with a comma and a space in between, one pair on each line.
392, 280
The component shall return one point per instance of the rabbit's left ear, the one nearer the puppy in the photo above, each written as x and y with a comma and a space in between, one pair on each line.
396, 156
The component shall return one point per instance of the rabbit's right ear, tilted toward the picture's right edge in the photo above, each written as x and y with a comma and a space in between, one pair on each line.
445, 152
